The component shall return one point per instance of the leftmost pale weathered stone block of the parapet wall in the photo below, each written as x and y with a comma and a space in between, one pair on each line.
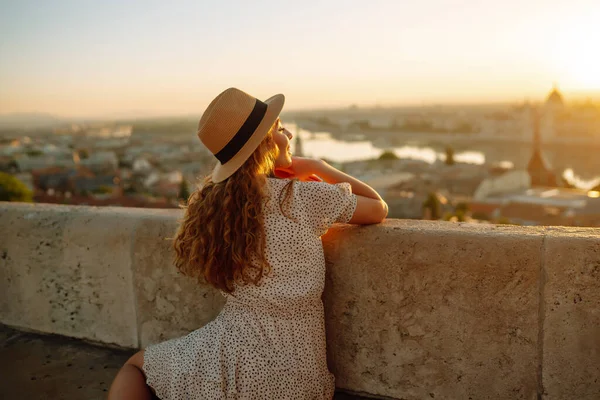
66, 270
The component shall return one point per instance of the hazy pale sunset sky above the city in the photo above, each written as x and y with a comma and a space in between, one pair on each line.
101, 58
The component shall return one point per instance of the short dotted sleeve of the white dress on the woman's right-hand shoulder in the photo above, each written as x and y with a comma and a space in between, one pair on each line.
327, 204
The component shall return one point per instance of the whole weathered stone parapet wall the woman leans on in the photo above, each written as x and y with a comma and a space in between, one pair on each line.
414, 309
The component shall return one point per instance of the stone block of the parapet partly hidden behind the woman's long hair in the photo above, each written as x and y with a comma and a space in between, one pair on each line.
168, 304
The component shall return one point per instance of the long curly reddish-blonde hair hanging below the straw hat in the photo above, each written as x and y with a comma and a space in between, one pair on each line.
221, 238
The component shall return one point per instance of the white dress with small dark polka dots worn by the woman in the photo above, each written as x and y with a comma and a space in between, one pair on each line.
268, 342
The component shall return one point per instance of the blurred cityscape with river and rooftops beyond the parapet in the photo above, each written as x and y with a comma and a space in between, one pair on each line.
477, 164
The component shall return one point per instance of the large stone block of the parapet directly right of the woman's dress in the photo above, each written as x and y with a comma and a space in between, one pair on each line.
420, 310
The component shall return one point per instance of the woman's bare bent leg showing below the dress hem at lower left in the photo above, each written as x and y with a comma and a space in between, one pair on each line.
130, 382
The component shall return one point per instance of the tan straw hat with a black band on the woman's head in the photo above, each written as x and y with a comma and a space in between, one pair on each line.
233, 126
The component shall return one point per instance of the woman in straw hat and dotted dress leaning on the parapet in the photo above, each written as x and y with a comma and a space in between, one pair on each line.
253, 231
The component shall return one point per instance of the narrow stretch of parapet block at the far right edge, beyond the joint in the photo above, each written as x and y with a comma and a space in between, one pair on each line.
571, 330
